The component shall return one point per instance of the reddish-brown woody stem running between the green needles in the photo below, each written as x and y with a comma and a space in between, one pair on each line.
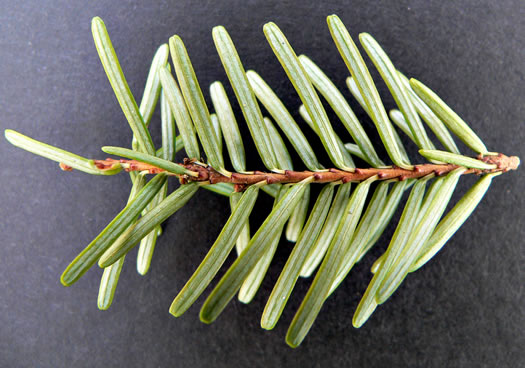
208, 174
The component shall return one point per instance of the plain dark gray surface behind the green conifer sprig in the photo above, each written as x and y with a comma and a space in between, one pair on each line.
463, 309
